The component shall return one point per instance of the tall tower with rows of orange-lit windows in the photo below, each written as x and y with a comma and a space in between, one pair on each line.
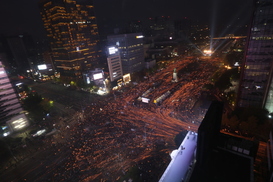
73, 35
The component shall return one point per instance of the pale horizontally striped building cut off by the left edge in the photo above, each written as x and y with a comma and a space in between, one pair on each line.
11, 116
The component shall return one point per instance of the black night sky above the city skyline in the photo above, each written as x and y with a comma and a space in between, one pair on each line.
17, 16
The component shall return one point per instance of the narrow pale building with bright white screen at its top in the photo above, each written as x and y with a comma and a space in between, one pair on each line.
114, 64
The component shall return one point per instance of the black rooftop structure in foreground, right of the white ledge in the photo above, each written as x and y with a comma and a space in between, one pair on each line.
222, 157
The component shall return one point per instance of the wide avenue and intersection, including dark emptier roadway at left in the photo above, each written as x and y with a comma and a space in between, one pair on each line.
109, 135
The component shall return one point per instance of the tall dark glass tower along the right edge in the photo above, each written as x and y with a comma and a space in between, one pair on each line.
256, 87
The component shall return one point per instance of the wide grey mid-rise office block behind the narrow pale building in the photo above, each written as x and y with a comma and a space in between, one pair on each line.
131, 51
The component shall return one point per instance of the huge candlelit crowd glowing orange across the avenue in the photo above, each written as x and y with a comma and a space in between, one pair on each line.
105, 140
